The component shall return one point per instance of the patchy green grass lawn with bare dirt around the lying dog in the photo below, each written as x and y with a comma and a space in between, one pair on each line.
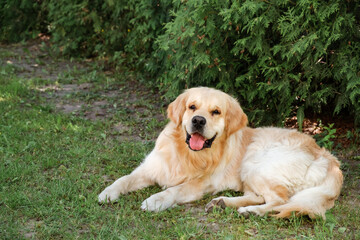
68, 129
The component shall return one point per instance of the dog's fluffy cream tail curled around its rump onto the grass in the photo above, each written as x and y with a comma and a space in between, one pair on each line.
316, 200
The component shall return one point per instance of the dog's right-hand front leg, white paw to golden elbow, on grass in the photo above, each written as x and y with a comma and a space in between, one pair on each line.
183, 193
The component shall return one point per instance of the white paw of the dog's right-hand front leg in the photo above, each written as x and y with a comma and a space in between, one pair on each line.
157, 202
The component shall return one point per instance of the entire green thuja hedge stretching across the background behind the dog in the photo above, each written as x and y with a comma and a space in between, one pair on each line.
279, 58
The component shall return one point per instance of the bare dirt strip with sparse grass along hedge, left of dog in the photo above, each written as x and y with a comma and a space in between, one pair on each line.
83, 89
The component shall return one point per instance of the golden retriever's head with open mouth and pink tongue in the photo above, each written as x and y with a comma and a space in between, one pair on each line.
206, 114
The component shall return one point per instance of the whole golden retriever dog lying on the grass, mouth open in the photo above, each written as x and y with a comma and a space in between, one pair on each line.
207, 148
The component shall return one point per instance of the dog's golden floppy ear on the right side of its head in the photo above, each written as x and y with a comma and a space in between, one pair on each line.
235, 117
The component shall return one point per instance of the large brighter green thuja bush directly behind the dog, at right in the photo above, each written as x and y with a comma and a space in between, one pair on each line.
277, 57
